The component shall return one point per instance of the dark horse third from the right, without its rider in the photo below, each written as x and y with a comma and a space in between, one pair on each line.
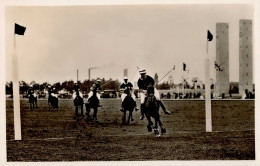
92, 103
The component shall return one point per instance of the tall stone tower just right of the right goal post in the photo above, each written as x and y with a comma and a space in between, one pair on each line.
222, 58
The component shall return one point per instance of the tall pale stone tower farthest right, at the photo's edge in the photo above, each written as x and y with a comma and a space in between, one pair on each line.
245, 56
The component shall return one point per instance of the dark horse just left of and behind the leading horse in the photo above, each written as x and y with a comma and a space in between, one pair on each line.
128, 105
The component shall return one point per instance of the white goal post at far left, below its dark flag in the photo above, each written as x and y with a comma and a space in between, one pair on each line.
16, 96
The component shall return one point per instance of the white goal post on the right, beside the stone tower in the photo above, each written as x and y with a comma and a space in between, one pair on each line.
207, 94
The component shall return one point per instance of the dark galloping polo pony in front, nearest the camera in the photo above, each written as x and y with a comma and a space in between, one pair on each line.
151, 109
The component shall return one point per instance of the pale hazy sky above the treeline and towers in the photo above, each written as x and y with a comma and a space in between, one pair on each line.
61, 39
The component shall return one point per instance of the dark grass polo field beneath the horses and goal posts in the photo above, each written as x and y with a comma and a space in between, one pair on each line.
55, 136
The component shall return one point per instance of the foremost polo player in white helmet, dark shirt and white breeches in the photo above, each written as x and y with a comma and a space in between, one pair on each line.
143, 82
